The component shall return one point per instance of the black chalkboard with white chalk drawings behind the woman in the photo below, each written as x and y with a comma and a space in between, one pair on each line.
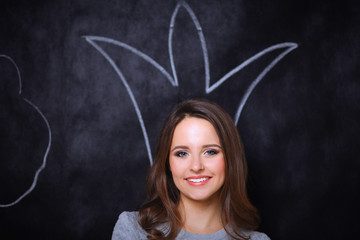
86, 85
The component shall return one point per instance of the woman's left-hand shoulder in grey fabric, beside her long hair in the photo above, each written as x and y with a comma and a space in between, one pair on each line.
127, 227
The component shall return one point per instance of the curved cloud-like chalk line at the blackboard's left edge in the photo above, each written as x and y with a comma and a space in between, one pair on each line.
43, 165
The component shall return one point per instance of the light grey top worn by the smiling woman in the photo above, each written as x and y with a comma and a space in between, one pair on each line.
128, 228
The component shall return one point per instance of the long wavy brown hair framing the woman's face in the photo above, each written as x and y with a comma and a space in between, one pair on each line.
159, 215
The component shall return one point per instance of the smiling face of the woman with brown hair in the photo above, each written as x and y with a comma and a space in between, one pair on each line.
196, 160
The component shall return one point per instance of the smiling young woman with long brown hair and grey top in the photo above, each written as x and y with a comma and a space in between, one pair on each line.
196, 187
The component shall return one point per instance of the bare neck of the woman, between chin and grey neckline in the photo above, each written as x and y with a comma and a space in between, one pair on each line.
201, 217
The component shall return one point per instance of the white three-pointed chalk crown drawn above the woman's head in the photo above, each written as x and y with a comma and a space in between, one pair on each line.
287, 46
